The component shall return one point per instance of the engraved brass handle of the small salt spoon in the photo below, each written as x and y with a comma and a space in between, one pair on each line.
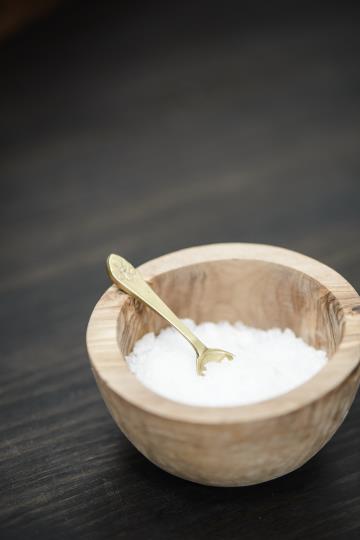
129, 280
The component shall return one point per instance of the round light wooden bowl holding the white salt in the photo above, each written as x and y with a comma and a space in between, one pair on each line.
265, 287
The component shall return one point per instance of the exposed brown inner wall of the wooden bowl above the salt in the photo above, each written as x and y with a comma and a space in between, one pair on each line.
258, 293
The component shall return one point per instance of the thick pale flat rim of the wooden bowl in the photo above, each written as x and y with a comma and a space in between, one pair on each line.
110, 368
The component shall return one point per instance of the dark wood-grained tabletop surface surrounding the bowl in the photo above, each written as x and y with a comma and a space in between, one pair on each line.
140, 130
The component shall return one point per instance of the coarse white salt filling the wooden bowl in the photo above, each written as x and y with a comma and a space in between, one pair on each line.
267, 363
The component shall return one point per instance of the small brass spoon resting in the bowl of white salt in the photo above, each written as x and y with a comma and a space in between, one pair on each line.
129, 280
